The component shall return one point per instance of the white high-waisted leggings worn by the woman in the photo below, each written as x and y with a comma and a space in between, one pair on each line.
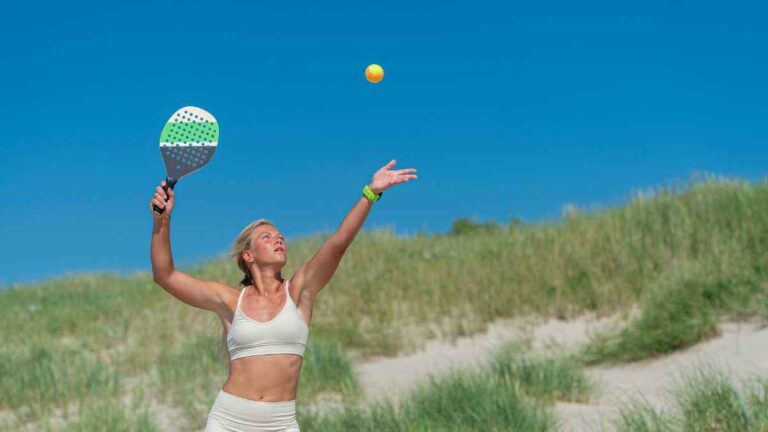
231, 413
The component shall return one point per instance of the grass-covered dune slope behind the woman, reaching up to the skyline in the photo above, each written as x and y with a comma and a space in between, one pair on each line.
695, 252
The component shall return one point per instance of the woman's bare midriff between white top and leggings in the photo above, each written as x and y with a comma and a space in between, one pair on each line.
266, 378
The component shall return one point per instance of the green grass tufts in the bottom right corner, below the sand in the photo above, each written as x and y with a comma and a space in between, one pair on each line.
704, 401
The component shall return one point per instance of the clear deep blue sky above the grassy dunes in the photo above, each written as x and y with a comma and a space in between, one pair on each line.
506, 110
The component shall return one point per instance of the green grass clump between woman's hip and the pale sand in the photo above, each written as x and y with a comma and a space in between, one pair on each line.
513, 393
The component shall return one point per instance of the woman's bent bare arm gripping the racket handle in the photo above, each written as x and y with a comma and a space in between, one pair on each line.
208, 295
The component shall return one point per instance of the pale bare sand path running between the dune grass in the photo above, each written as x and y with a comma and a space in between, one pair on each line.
741, 351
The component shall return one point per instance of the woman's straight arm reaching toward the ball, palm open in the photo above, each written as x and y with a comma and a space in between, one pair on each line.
316, 273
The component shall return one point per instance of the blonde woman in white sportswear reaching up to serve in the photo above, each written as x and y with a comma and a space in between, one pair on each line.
267, 320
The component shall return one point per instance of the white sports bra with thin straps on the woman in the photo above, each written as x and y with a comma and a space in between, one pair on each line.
286, 333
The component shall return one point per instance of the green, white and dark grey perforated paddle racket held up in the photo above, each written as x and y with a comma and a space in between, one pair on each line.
187, 144
